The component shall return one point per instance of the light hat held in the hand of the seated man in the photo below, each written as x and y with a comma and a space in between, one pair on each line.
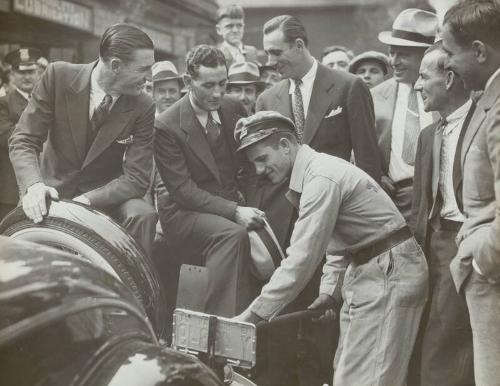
265, 252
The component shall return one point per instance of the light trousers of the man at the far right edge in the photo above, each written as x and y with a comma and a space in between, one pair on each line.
483, 301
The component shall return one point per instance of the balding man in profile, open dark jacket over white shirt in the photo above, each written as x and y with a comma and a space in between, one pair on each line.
443, 355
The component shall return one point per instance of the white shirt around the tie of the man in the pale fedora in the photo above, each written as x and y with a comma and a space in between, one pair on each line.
398, 169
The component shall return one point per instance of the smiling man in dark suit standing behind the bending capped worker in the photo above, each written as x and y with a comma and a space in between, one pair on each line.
332, 111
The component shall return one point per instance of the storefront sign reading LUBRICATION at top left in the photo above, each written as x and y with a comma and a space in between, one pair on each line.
59, 11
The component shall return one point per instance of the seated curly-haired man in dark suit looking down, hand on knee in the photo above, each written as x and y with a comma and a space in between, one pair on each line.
205, 214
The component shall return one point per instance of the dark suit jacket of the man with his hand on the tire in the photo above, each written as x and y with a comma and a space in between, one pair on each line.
58, 112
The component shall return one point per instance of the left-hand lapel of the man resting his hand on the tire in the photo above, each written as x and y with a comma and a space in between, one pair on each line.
77, 102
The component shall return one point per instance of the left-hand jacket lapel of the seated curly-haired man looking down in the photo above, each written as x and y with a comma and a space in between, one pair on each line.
196, 138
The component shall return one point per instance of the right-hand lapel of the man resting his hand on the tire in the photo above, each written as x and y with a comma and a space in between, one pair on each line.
120, 114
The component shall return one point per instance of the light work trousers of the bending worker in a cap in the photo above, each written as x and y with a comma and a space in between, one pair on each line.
383, 303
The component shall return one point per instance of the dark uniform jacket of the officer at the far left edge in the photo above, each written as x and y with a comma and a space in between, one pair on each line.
11, 107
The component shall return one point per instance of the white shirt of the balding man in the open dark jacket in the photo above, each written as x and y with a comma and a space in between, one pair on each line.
451, 132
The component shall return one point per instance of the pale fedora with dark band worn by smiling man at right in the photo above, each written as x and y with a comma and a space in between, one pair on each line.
412, 28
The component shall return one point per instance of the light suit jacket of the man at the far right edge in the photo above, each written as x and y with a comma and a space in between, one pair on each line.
479, 237
